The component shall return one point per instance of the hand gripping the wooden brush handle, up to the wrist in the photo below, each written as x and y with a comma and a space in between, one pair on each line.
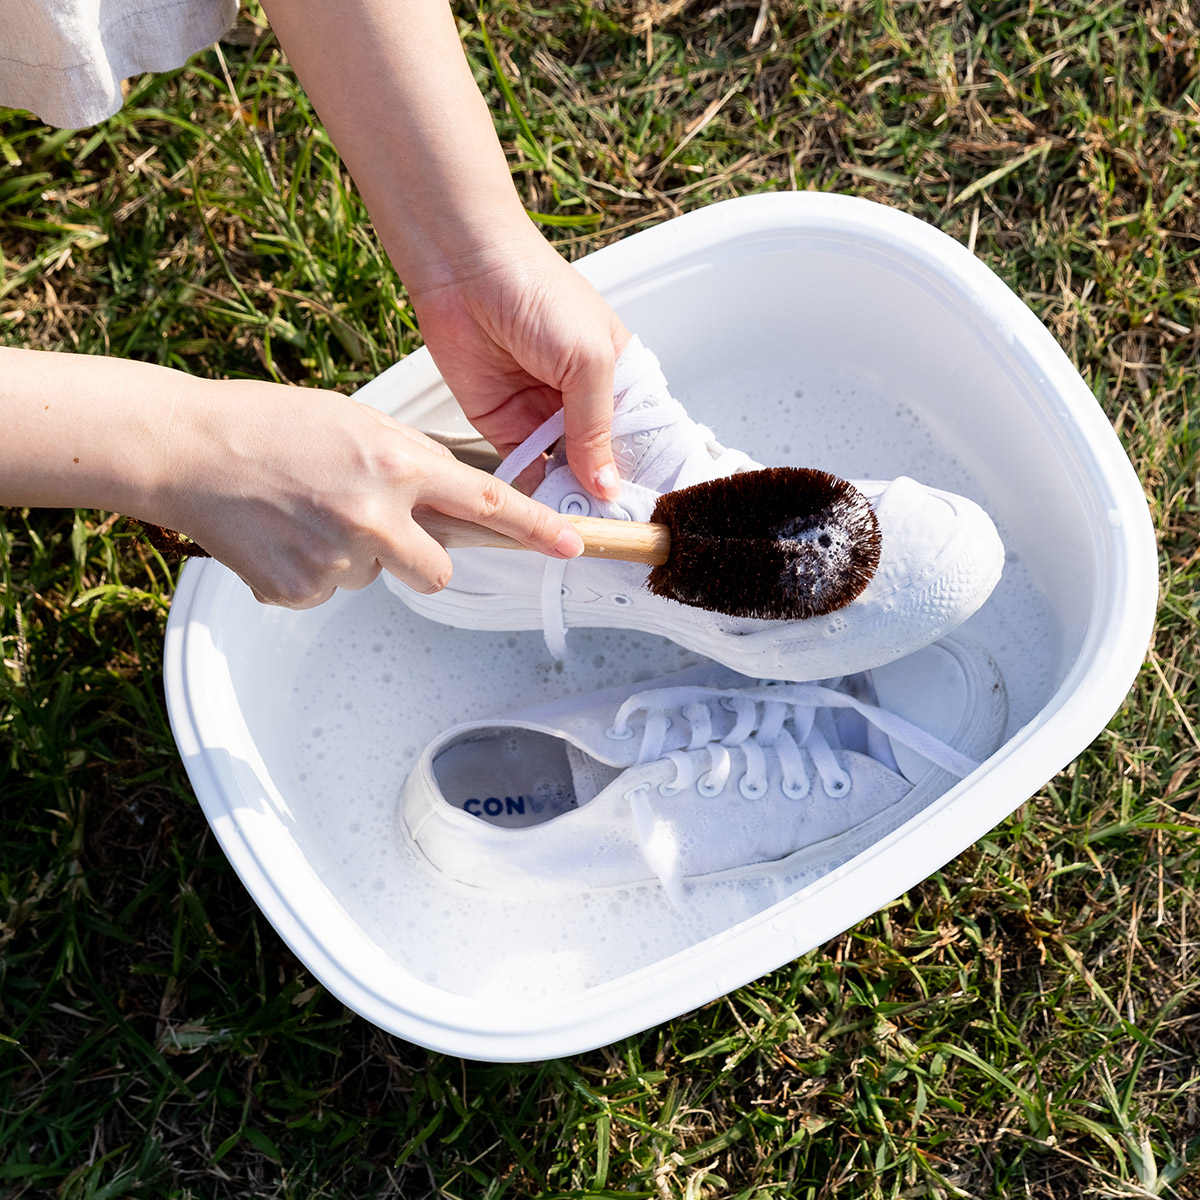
302, 493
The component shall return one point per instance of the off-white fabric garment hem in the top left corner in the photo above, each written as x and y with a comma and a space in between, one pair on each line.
64, 61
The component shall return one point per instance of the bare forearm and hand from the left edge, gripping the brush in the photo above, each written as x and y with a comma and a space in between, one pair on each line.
299, 491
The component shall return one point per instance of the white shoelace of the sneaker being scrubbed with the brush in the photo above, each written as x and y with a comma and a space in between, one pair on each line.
644, 407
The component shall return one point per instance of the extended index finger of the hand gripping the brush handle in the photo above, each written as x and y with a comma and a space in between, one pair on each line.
461, 491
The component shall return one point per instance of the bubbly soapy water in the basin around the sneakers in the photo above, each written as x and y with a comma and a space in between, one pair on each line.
380, 683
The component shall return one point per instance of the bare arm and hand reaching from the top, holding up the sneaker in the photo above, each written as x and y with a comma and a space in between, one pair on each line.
514, 329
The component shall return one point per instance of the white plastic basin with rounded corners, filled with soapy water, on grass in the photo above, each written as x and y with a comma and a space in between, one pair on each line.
809, 329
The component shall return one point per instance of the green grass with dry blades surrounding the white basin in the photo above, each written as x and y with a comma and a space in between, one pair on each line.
1024, 1024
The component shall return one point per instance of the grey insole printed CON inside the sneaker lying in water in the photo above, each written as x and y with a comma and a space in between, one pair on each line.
520, 778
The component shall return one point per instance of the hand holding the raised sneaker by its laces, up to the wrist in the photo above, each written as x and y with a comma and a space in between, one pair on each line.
520, 334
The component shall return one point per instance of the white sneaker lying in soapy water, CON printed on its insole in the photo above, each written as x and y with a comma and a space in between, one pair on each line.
701, 776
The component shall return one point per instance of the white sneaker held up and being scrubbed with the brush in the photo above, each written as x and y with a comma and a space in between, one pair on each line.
941, 556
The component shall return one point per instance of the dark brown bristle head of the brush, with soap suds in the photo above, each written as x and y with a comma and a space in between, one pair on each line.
783, 543
